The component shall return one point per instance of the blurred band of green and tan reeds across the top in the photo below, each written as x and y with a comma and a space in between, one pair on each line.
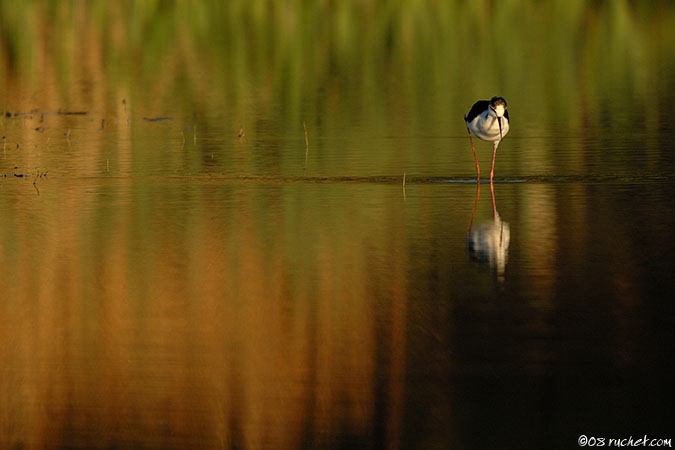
411, 34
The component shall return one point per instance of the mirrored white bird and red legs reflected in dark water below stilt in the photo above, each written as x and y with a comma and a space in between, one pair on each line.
488, 242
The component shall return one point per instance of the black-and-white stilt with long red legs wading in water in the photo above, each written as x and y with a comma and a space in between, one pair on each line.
489, 121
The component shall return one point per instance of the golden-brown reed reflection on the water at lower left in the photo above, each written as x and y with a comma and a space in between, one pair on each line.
136, 316
